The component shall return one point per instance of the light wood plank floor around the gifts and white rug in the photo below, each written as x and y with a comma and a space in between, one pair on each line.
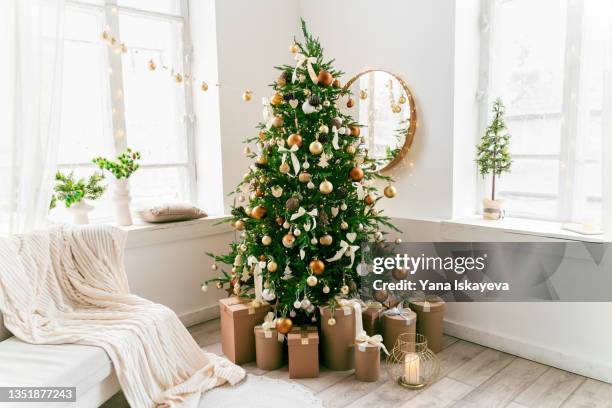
472, 376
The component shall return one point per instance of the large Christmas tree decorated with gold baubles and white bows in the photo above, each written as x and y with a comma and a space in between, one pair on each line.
308, 201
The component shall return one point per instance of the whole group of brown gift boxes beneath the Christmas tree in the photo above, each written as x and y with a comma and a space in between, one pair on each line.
352, 334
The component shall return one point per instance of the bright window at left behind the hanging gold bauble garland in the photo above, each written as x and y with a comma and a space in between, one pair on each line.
112, 100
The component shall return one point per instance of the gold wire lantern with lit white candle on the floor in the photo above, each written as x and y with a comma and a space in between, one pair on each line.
411, 363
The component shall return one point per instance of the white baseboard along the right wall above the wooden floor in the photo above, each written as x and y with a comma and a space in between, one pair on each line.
599, 370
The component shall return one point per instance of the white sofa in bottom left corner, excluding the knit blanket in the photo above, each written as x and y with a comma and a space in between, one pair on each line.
87, 368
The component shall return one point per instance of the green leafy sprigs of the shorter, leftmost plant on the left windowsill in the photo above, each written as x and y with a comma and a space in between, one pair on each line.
70, 190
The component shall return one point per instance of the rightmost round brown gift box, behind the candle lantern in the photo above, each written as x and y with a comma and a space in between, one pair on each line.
430, 320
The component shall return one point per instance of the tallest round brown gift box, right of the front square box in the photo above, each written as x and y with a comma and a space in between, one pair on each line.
338, 339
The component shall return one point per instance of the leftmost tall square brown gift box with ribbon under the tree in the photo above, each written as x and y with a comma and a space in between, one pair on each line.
238, 319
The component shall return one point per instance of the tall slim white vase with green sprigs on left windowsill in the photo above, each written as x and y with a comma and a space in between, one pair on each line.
122, 168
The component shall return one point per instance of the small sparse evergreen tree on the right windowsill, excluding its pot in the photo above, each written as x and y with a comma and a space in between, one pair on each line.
493, 154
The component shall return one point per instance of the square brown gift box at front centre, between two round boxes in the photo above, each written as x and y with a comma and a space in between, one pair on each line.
303, 345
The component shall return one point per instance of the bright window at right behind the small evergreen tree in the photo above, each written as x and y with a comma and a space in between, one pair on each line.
546, 60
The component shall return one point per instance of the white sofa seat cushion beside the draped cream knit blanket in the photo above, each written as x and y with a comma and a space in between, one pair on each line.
62, 365
